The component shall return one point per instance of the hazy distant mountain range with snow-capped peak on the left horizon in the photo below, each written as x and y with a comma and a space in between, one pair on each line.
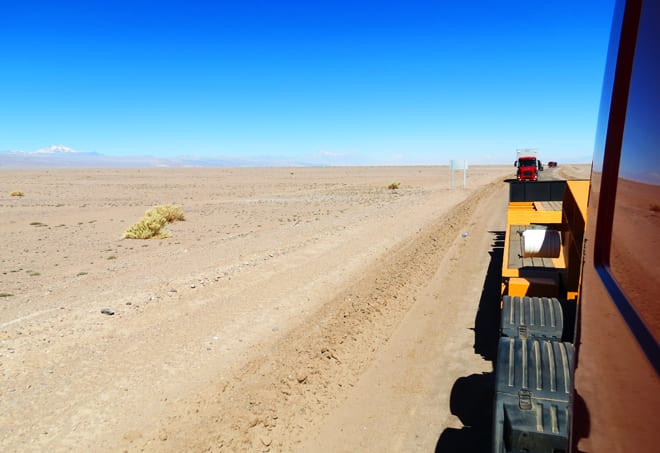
60, 156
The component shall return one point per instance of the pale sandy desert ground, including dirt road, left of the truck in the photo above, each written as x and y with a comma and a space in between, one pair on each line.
295, 309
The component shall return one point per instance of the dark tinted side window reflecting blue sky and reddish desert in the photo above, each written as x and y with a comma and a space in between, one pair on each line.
635, 252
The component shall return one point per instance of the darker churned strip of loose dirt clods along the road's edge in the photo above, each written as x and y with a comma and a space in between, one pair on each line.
275, 398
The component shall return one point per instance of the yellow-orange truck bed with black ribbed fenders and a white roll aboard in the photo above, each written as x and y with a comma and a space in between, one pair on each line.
540, 291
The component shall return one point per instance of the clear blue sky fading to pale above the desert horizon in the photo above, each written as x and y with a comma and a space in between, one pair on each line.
326, 82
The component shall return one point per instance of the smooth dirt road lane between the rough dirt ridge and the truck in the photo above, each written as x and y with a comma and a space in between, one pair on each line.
402, 401
